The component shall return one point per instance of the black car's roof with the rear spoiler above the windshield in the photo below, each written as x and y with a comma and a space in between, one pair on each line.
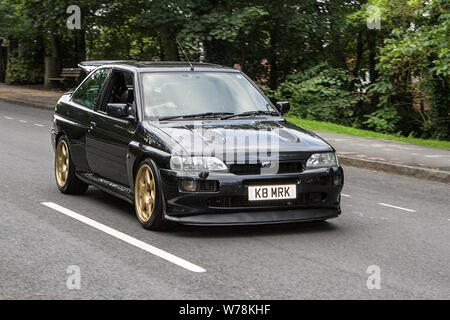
149, 66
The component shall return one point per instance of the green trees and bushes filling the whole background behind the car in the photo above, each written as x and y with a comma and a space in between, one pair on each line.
319, 54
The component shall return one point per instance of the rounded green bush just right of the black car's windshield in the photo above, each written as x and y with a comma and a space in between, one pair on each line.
319, 93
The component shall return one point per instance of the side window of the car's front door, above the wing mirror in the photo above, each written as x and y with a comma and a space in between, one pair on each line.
121, 90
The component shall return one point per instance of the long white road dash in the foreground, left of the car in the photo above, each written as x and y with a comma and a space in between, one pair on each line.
126, 238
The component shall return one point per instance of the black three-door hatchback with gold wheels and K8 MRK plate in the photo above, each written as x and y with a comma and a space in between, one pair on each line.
197, 144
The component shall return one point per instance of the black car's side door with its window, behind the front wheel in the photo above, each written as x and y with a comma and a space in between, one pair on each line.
107, 140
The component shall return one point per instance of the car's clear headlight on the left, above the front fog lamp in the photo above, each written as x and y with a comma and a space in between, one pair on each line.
197, 164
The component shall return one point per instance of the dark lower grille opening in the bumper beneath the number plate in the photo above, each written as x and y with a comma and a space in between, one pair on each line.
303, 199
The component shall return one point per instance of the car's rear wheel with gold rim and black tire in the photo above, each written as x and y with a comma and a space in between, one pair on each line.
66, 180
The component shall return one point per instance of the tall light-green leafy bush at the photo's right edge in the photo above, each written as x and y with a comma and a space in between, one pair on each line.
414, 65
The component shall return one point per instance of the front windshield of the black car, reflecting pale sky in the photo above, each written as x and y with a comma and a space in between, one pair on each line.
174, 94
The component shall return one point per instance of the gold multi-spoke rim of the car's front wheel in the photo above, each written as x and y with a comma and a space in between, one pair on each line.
145, 193
